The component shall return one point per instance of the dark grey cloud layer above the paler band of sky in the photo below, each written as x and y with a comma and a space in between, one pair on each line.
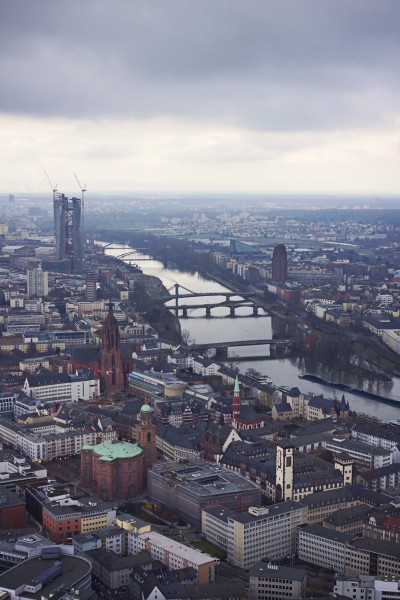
290, 65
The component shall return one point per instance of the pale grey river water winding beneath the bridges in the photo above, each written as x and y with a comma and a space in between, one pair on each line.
284, 371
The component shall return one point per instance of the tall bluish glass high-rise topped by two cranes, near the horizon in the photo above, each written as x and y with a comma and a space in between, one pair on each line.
68, 230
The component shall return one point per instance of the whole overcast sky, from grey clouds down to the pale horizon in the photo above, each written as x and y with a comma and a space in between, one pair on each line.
200, 95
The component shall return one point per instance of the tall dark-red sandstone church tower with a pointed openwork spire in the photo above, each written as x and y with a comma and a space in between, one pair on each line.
111, 363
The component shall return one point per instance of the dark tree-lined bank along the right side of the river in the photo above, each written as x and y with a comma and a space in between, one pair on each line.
335, 350
